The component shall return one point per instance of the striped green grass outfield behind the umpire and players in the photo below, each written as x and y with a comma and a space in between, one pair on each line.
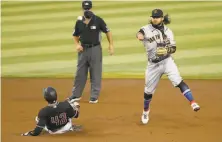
38, 33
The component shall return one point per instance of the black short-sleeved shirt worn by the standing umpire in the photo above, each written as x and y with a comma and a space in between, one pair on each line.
91, 33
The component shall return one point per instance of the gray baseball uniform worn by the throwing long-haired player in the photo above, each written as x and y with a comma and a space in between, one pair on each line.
158, 66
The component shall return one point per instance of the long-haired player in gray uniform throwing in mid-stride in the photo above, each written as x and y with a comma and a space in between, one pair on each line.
159, 43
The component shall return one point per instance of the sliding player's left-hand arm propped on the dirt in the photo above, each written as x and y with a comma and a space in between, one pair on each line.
39, 127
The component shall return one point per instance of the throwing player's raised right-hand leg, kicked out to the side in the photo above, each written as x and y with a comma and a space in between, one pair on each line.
173, 74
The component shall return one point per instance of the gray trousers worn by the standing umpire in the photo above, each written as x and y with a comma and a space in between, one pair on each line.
89, 59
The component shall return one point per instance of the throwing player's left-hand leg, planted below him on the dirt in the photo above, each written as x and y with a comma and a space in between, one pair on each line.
152, 76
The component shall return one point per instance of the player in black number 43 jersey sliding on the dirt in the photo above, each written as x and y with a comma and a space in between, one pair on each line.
56, 118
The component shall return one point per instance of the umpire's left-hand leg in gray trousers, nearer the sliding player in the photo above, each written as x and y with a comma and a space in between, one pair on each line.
81, 76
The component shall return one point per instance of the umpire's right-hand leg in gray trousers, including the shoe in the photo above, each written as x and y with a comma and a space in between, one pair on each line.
95, 72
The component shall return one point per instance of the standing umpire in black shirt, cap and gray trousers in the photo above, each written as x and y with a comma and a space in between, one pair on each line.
87, 38
